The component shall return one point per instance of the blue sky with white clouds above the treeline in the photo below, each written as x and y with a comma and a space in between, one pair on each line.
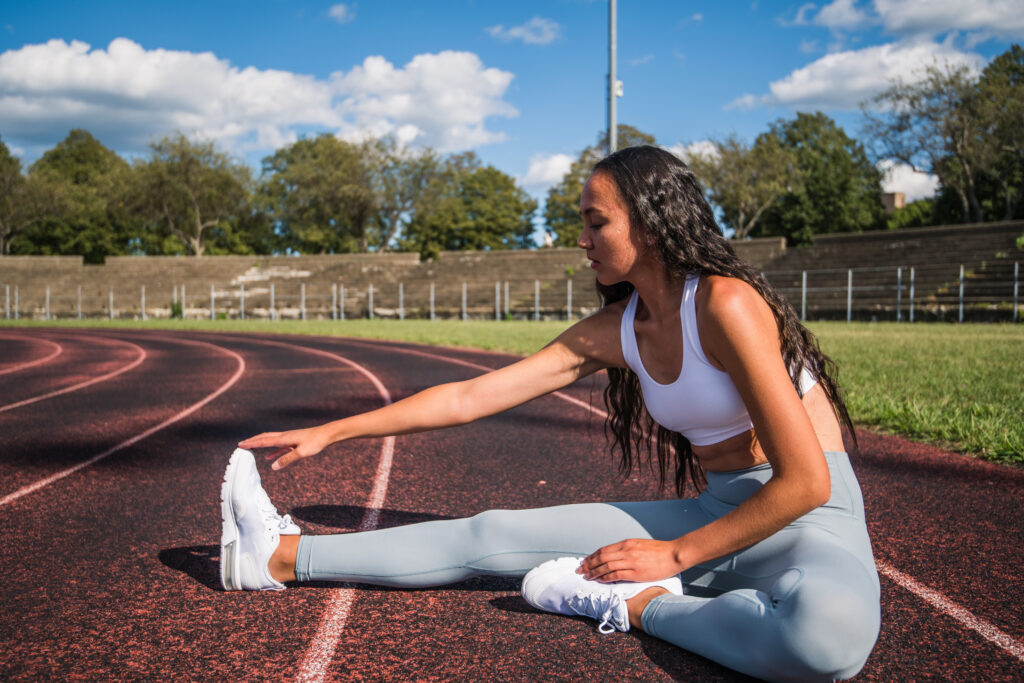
523, 84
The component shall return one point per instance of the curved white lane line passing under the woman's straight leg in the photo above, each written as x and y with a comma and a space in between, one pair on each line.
319, 656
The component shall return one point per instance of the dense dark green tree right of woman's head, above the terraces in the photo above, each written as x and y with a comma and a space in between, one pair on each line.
841, 190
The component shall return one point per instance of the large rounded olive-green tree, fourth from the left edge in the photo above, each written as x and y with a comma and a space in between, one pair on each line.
320, 195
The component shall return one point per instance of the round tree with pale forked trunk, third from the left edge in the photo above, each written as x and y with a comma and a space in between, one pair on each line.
191, 191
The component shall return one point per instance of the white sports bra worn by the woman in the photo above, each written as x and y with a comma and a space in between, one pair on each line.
703, 404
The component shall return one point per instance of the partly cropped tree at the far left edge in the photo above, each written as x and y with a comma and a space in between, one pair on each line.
24, 201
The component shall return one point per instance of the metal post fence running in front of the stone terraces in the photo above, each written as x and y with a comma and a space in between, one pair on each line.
935, 292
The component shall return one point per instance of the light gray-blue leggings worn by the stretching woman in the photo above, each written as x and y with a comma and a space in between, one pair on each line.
802, 605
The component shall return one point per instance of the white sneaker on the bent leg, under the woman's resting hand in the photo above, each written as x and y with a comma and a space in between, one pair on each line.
556, 587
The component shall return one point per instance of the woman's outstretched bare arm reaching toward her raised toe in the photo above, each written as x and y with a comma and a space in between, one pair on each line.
581, 351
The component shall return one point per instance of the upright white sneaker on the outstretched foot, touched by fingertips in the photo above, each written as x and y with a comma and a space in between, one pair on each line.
251, 530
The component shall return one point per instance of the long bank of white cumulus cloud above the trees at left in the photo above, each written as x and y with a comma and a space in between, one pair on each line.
127, 96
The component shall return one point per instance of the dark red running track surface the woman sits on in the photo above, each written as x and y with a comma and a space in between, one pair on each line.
111, 572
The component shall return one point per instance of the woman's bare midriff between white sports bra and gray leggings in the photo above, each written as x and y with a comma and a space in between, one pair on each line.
745, 451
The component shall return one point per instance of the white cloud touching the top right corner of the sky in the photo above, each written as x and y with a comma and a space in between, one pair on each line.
1003, 18
